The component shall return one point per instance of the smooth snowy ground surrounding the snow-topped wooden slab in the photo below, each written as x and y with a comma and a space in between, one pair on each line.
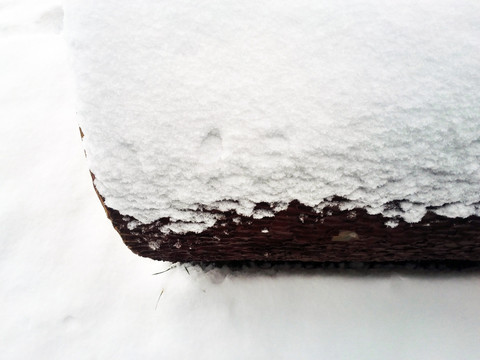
70, 289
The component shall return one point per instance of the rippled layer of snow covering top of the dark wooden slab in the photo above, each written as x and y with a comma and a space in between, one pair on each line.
199, 102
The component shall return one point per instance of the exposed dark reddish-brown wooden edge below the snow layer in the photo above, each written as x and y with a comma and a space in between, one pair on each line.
300, 234
